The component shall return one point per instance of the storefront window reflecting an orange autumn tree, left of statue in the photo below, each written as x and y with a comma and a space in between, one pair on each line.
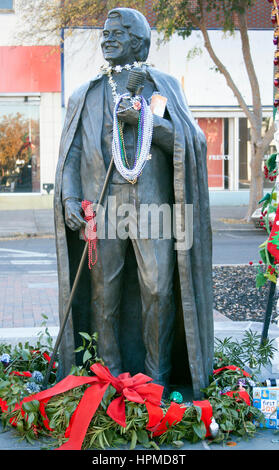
19, 146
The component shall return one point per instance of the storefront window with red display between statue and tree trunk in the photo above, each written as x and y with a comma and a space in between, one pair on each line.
218, 158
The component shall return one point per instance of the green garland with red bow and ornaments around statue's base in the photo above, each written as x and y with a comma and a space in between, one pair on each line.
91, 408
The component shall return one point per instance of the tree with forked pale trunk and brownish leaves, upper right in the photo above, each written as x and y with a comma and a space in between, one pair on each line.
182, 17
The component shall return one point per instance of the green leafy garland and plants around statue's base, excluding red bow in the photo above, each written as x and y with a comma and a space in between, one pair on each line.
232, 415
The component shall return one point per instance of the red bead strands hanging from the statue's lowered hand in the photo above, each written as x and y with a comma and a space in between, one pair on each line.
90, 234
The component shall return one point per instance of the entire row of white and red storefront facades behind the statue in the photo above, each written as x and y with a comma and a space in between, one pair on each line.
36, 84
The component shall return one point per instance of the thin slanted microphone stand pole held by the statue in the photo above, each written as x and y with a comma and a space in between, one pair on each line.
75, 284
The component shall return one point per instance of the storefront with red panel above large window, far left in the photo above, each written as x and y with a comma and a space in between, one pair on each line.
30, 115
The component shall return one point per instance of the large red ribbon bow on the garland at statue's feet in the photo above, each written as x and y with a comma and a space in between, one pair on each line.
136, 389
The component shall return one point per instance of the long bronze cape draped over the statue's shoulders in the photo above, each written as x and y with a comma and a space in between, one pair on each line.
192, 357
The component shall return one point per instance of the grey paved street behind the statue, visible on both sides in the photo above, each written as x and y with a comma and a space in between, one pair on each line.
28, 274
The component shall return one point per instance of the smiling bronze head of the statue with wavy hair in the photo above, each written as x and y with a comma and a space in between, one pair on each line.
126, 36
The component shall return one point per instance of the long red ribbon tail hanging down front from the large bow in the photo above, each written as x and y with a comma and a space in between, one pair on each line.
86, 409
